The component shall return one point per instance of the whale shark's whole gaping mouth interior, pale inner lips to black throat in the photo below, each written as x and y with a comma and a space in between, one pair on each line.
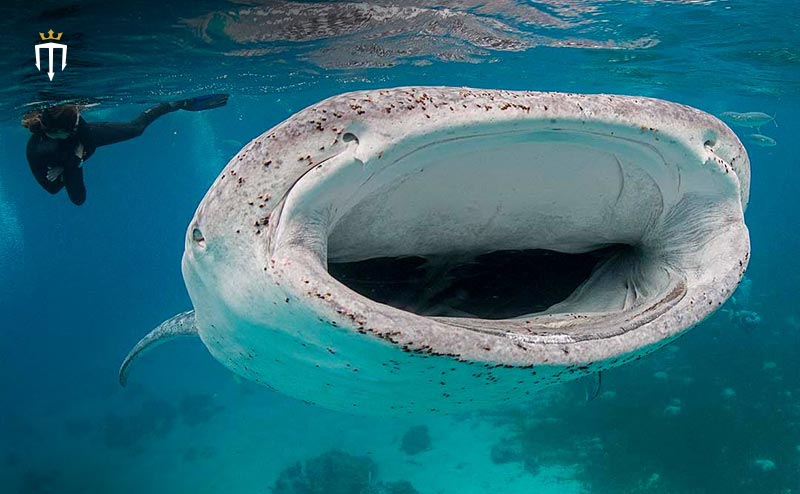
587, 232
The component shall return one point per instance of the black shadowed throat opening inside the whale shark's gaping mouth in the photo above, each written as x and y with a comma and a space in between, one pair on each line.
494, 285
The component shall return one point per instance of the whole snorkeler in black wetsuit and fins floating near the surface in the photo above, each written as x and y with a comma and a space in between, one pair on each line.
62, 140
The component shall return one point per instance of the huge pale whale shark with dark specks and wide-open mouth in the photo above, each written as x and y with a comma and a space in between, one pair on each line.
445, 249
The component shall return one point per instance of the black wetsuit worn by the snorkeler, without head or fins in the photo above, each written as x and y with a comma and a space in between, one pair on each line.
45, 152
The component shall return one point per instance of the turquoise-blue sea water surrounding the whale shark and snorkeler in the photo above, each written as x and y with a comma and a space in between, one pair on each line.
716, 411
